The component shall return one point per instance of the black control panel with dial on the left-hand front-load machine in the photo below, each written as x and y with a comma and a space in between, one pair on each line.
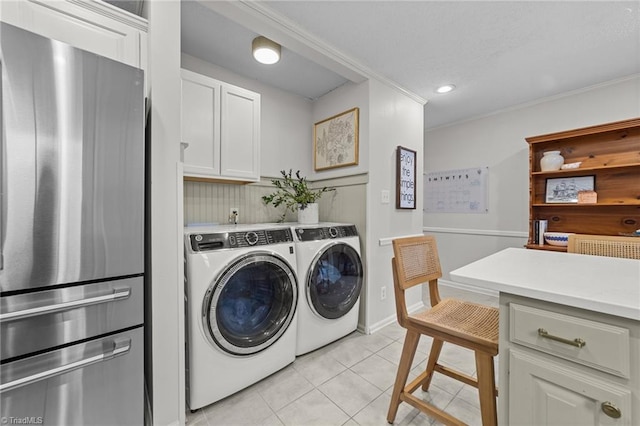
239, 239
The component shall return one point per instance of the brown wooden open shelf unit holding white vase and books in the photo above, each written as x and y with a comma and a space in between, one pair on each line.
610, 153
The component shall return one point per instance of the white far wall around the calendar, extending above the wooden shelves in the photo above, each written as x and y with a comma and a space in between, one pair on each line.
498, 141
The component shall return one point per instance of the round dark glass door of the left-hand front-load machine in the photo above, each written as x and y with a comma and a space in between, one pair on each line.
250, 304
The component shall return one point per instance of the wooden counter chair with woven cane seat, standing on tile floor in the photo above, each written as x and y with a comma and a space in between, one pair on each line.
453, 321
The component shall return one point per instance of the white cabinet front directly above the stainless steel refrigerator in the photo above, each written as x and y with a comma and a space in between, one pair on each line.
94, 26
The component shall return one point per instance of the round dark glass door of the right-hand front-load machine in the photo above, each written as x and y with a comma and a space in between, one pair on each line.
334, 281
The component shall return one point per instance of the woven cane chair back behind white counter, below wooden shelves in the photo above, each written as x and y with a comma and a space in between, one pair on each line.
605, 245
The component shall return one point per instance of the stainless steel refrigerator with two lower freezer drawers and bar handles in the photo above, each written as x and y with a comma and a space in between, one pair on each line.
71, 235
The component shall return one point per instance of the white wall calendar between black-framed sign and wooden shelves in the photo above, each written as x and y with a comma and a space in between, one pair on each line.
457, 191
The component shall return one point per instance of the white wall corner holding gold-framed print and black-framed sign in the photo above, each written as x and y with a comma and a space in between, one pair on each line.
387, 119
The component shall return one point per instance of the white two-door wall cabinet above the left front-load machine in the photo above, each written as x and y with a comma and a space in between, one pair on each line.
221, 130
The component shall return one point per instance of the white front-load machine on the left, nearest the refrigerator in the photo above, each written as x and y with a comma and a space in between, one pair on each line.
241, 306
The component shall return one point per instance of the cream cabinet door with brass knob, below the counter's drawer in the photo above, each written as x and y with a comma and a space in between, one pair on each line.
543, 393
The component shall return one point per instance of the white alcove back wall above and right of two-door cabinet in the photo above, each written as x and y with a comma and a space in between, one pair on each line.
285, 130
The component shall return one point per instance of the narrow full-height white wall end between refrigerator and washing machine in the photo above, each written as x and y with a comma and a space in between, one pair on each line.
167, 315
